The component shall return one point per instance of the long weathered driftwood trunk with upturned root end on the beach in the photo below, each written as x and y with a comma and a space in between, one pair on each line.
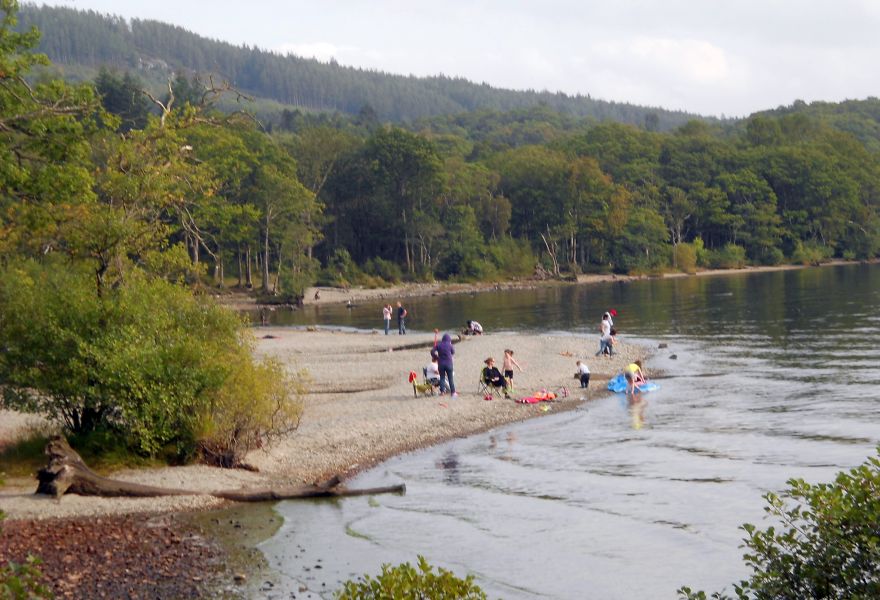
67, 473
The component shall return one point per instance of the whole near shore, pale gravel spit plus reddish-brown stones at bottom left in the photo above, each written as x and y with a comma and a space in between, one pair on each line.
352, 420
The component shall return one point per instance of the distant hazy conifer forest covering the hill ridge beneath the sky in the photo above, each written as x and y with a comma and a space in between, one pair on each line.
154, 49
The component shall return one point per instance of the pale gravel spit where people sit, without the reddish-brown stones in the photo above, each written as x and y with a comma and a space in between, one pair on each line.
360, 411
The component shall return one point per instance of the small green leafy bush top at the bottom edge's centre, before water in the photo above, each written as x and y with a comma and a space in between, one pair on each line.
405, 582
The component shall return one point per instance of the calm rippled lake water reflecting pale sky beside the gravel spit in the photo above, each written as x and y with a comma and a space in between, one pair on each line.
776, 376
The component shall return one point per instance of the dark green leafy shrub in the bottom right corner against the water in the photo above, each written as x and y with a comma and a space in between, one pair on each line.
827, 544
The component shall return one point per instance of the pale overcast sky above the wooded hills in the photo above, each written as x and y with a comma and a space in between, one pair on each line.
712, 57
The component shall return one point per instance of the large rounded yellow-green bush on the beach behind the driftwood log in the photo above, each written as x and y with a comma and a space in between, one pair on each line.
146, 360
